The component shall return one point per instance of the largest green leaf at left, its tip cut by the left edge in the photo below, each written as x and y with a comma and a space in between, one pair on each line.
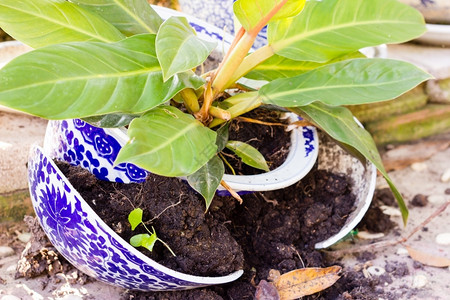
78, 80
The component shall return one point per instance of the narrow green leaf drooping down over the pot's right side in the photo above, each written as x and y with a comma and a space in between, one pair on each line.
339, 123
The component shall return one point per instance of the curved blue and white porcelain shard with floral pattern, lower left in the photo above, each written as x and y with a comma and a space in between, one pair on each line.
89, 244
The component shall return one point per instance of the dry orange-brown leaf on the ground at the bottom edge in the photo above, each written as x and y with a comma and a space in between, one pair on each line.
302, 282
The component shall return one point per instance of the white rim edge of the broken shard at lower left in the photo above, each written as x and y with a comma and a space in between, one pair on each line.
182, 276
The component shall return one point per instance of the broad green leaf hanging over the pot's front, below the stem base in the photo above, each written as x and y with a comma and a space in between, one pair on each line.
168, 142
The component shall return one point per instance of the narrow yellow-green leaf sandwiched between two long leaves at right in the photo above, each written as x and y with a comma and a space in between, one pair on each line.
282, 67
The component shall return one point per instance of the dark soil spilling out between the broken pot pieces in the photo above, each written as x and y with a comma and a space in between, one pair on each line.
271, 230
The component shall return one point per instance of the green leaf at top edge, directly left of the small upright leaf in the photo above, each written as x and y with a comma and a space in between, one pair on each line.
129, 16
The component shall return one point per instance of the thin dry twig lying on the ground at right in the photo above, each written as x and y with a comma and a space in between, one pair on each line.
383, 244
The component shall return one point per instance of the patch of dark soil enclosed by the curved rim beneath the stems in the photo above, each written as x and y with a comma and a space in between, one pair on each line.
273, 142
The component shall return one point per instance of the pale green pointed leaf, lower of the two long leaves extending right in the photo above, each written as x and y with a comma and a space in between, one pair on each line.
348, 82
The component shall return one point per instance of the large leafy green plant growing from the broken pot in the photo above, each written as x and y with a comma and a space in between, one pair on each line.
116, 62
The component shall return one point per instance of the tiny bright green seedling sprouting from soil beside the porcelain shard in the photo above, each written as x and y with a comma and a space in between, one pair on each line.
146, 240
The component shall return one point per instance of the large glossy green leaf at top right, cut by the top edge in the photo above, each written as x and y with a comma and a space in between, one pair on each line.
331, 28
